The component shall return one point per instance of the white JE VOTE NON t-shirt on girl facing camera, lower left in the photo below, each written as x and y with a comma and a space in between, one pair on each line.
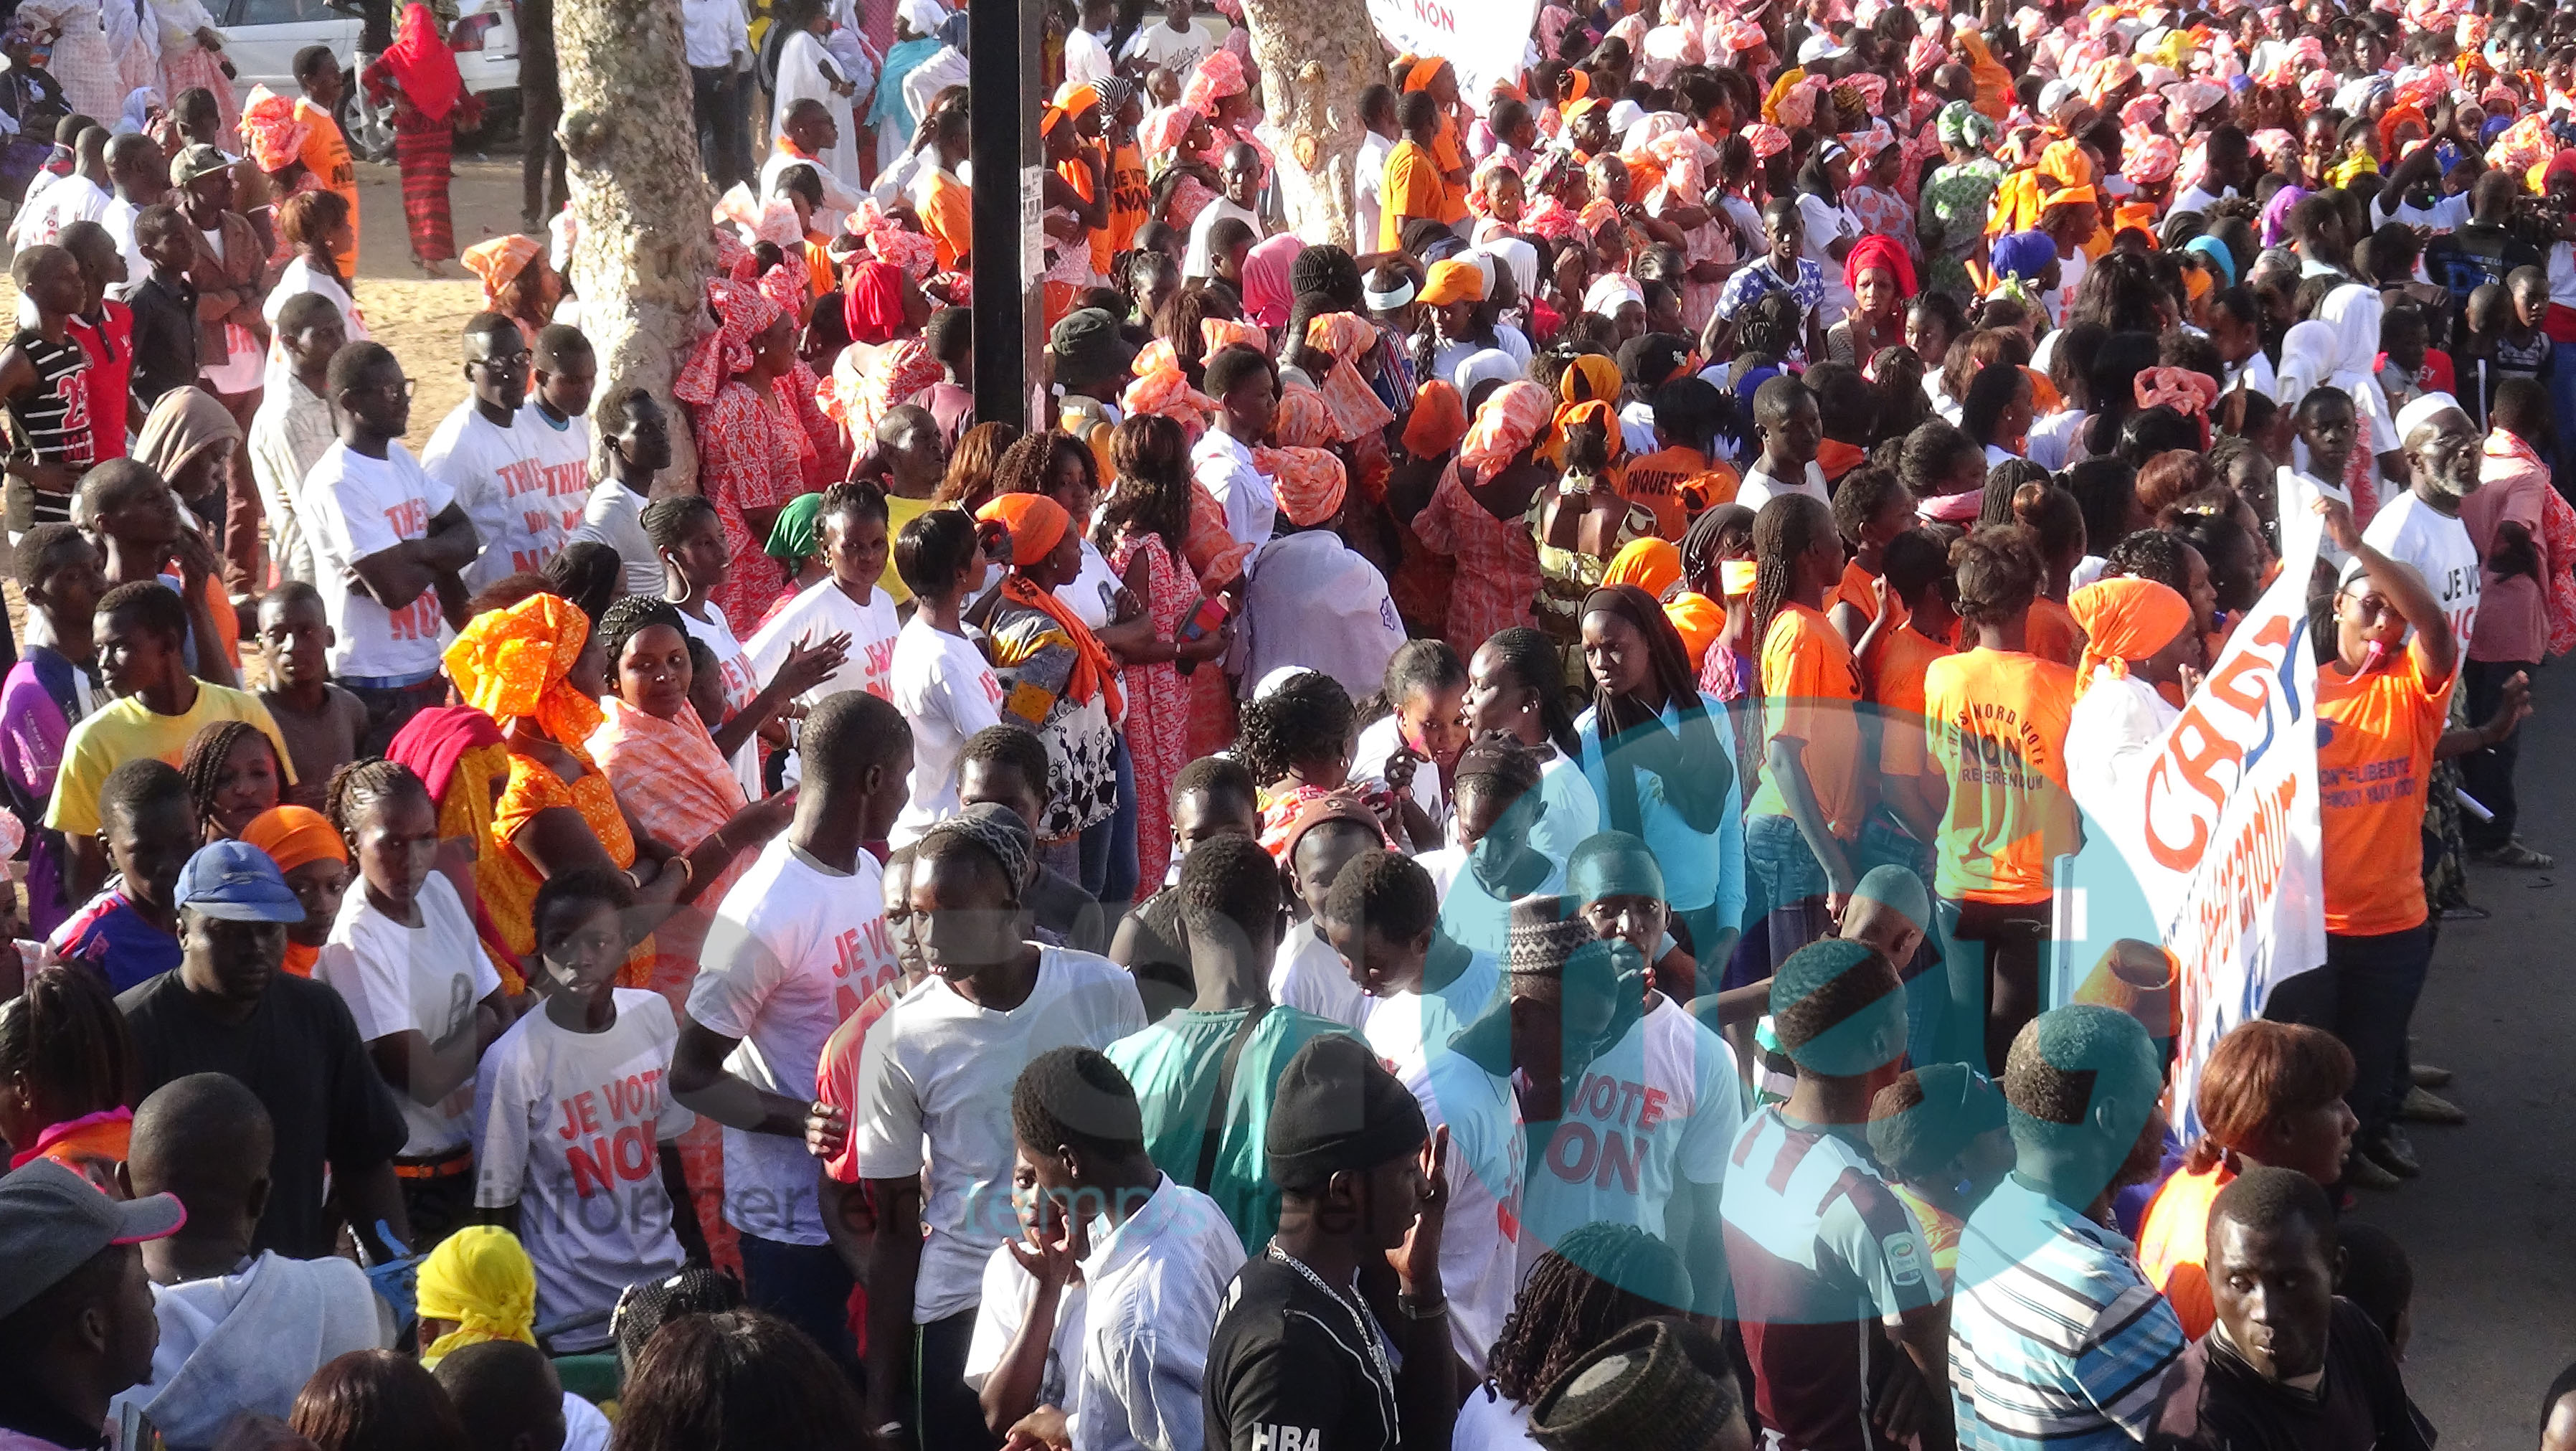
571, 1130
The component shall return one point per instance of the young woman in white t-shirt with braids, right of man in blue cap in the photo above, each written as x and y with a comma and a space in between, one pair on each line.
406, 960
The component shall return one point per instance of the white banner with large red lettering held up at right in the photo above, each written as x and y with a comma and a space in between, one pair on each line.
2224, 823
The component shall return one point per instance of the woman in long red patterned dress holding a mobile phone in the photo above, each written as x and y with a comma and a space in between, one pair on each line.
1142, 527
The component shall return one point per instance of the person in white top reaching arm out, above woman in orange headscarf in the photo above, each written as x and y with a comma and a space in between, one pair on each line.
689, 537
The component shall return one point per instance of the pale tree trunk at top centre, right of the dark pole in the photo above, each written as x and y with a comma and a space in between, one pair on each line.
1315, 55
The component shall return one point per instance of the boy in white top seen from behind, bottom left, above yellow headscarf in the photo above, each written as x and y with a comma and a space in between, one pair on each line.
238, 1329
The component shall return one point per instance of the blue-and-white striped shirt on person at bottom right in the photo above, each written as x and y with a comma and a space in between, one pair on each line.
2054, 1334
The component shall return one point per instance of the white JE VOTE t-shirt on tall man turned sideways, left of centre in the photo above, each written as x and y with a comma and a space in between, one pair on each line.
792, 952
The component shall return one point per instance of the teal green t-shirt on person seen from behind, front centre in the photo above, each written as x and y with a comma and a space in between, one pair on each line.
1176, 1066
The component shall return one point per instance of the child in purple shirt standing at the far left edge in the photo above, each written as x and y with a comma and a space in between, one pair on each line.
48, 692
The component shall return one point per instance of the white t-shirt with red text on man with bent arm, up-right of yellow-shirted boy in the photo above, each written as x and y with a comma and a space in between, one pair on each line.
357, 509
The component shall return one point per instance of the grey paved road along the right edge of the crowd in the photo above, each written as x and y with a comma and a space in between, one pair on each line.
2490, 1223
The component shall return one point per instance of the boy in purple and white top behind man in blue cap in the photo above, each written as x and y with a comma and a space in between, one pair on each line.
148, 831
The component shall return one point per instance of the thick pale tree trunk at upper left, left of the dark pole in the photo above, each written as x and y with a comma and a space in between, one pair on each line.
640, 205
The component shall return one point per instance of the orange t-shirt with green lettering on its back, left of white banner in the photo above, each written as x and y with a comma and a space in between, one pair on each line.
1998, 731
